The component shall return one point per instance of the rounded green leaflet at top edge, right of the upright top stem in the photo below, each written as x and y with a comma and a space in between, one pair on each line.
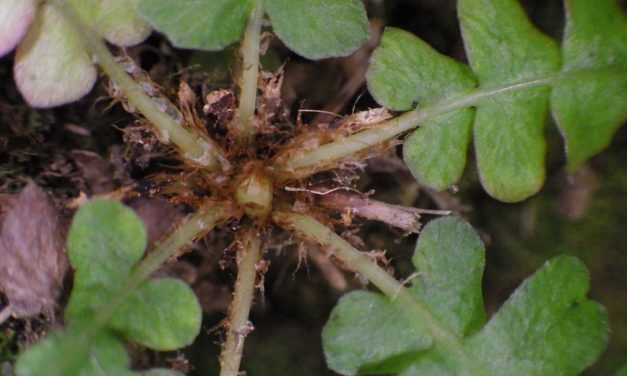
319, 29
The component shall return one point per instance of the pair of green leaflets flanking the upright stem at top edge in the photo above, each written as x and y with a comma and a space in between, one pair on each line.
314, 28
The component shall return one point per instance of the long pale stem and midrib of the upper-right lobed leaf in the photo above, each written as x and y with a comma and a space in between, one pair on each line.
301, 164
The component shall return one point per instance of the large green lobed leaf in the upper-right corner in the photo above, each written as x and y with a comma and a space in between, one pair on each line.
507, 55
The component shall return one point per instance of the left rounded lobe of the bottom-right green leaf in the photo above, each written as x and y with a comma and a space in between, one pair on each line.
365, 329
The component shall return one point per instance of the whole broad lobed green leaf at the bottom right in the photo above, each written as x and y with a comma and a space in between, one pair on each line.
547, 326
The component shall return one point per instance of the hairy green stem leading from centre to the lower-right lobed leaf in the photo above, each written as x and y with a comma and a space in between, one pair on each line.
362, 264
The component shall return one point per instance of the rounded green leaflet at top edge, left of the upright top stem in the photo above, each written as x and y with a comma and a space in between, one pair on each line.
198, 24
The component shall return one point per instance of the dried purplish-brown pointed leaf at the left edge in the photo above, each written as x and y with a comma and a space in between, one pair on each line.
32, 257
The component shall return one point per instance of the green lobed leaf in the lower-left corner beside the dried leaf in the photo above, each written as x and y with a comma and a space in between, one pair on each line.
105, 240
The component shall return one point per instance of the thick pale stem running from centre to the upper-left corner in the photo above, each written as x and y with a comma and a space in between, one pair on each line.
194, 148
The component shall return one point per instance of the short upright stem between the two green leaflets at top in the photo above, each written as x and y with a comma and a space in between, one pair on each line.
250, 72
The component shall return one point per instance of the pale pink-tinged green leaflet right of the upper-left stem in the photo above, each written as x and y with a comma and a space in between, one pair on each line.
118, 21
